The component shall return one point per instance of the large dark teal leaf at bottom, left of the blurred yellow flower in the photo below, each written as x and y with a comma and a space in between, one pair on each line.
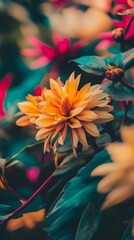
79, 193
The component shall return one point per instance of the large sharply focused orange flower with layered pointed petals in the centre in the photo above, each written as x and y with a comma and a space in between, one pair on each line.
69, 110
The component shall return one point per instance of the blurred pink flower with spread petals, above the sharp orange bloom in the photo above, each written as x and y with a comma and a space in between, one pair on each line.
46, 54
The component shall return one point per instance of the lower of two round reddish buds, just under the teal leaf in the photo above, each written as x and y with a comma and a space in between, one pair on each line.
115, 74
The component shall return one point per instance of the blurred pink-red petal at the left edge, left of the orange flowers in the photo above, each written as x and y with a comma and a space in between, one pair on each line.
4, 85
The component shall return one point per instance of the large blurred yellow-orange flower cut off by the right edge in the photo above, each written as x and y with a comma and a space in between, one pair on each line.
118, 178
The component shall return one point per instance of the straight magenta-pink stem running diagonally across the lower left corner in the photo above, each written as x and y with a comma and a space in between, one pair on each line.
28, 201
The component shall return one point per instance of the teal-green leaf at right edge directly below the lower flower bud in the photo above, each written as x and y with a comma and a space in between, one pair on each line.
118, 92
